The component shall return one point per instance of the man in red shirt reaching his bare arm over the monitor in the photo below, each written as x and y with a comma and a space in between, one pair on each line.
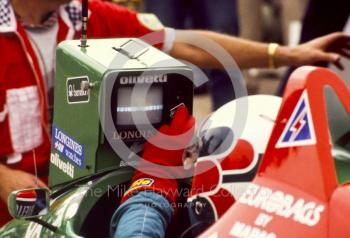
29, 33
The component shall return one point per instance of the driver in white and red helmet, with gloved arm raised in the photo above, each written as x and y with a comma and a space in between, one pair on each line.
224, 148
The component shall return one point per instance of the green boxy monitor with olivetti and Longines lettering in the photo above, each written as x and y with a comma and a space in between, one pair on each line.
112, 91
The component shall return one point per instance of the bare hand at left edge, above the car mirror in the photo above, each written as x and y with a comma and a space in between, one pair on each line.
11, 180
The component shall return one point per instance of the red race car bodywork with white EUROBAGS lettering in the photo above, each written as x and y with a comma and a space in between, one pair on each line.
295, 192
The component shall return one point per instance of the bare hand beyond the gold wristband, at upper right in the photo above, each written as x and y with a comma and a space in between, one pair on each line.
327, 48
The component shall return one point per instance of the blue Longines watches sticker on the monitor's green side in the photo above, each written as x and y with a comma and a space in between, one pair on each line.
68, 147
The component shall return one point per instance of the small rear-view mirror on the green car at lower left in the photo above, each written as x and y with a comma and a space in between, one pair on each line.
28, 203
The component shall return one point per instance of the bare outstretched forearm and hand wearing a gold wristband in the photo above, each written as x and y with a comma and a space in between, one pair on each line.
254, 54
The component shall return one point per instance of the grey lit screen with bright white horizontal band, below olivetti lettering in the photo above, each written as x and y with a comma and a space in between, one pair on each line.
152, 105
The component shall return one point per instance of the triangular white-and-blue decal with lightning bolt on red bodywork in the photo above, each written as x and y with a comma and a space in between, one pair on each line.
300, 129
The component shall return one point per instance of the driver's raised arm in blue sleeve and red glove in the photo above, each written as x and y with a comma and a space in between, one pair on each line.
147, 206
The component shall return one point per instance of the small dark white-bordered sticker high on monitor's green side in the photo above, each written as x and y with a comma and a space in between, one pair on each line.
78, 90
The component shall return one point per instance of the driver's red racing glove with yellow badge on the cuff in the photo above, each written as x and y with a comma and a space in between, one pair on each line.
166, 149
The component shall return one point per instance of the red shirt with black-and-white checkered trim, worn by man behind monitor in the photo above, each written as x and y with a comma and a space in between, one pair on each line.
23, 99
